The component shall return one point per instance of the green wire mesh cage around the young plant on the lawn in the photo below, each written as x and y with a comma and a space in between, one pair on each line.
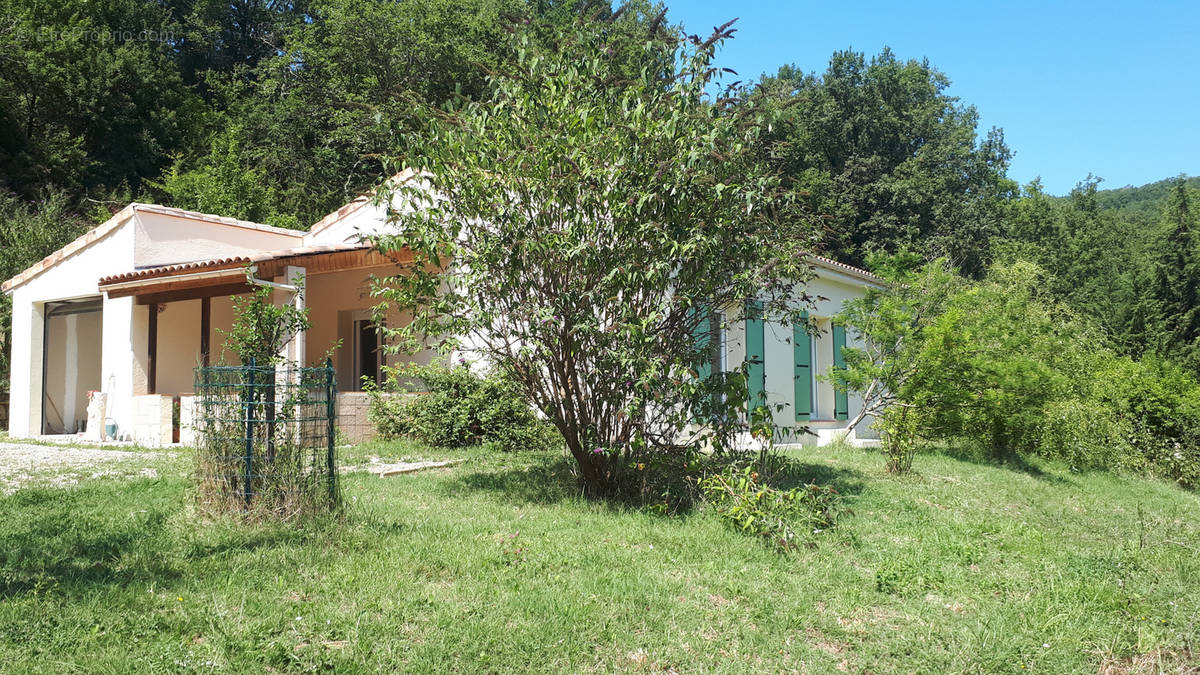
266, 439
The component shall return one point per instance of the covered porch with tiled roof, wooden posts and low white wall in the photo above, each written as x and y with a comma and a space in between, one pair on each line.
185, 313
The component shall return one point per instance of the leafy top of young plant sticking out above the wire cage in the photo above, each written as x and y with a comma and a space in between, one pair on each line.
261, 327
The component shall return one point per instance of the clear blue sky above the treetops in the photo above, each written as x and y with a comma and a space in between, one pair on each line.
1108, 88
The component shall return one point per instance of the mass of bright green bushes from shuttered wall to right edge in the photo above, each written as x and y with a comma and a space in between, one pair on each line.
1003, 366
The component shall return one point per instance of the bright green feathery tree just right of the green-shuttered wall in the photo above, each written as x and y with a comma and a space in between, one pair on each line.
983, 362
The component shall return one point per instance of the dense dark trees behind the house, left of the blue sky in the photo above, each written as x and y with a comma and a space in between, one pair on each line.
103, 98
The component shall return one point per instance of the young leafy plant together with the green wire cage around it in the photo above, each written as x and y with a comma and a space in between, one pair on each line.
266, 428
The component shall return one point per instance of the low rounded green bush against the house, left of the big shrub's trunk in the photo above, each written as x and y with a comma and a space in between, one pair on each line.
458, 408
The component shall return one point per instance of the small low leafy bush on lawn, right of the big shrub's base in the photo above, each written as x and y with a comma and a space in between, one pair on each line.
785, 518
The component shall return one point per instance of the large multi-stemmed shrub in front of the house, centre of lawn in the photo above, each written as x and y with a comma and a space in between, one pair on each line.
578, 228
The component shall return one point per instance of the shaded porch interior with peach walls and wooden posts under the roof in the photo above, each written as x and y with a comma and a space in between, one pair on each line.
190, 314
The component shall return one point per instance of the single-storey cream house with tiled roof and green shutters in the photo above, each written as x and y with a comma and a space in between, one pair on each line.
130, 309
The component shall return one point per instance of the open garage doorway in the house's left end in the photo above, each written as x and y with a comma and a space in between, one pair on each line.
71, 355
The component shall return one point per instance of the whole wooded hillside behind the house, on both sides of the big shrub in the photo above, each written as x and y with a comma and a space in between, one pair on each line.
280, 112
